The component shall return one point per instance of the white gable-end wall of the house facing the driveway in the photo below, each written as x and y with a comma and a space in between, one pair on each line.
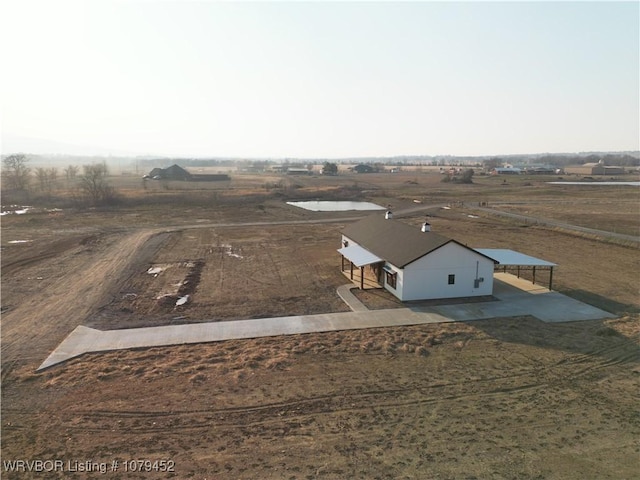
427, 277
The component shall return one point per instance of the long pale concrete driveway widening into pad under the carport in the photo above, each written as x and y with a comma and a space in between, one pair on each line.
511, 301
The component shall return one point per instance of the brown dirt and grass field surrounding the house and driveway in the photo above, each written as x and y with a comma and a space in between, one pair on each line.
501, 398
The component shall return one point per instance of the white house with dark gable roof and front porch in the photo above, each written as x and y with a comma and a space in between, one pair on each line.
413, 263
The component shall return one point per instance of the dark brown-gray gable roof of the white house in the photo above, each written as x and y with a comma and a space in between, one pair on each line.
396, 242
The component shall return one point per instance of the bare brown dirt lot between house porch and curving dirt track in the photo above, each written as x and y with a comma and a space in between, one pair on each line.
232, 273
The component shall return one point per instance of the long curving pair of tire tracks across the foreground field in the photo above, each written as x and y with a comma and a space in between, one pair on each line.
302, 410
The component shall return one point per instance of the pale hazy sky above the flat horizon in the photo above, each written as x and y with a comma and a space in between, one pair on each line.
323, 79
